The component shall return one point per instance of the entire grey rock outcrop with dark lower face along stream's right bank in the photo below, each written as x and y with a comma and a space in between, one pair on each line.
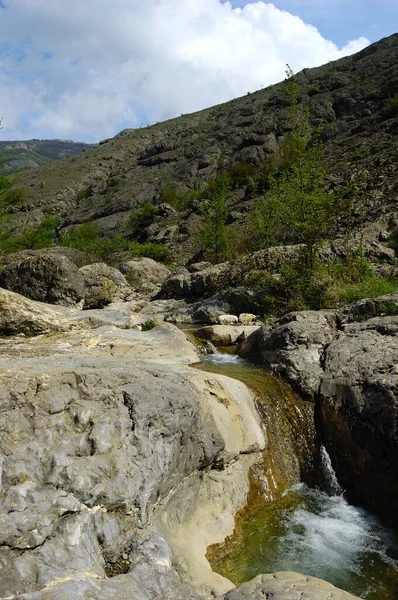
349, 370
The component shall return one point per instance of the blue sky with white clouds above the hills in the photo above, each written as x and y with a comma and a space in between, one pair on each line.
85, 69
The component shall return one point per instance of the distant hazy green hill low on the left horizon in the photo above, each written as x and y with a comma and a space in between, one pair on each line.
18, 155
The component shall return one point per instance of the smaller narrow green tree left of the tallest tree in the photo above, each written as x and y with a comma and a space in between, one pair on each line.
214, 212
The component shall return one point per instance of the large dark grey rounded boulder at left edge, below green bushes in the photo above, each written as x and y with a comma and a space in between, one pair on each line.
43, 276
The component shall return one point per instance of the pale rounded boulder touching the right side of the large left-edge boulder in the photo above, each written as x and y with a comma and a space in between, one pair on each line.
103, 285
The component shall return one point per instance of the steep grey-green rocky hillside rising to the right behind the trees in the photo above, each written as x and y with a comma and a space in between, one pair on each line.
354, 98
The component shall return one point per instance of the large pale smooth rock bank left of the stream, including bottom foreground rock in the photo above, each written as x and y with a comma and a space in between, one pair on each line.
119, 463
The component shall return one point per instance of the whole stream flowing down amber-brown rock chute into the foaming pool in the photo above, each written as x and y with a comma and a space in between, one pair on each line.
302, 521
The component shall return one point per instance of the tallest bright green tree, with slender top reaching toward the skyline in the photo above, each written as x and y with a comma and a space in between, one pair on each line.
297, 204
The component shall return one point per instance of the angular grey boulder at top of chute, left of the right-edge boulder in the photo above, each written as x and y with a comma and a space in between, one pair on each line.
292, 346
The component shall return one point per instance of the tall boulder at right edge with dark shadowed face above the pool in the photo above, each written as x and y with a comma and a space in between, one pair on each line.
359, 412
